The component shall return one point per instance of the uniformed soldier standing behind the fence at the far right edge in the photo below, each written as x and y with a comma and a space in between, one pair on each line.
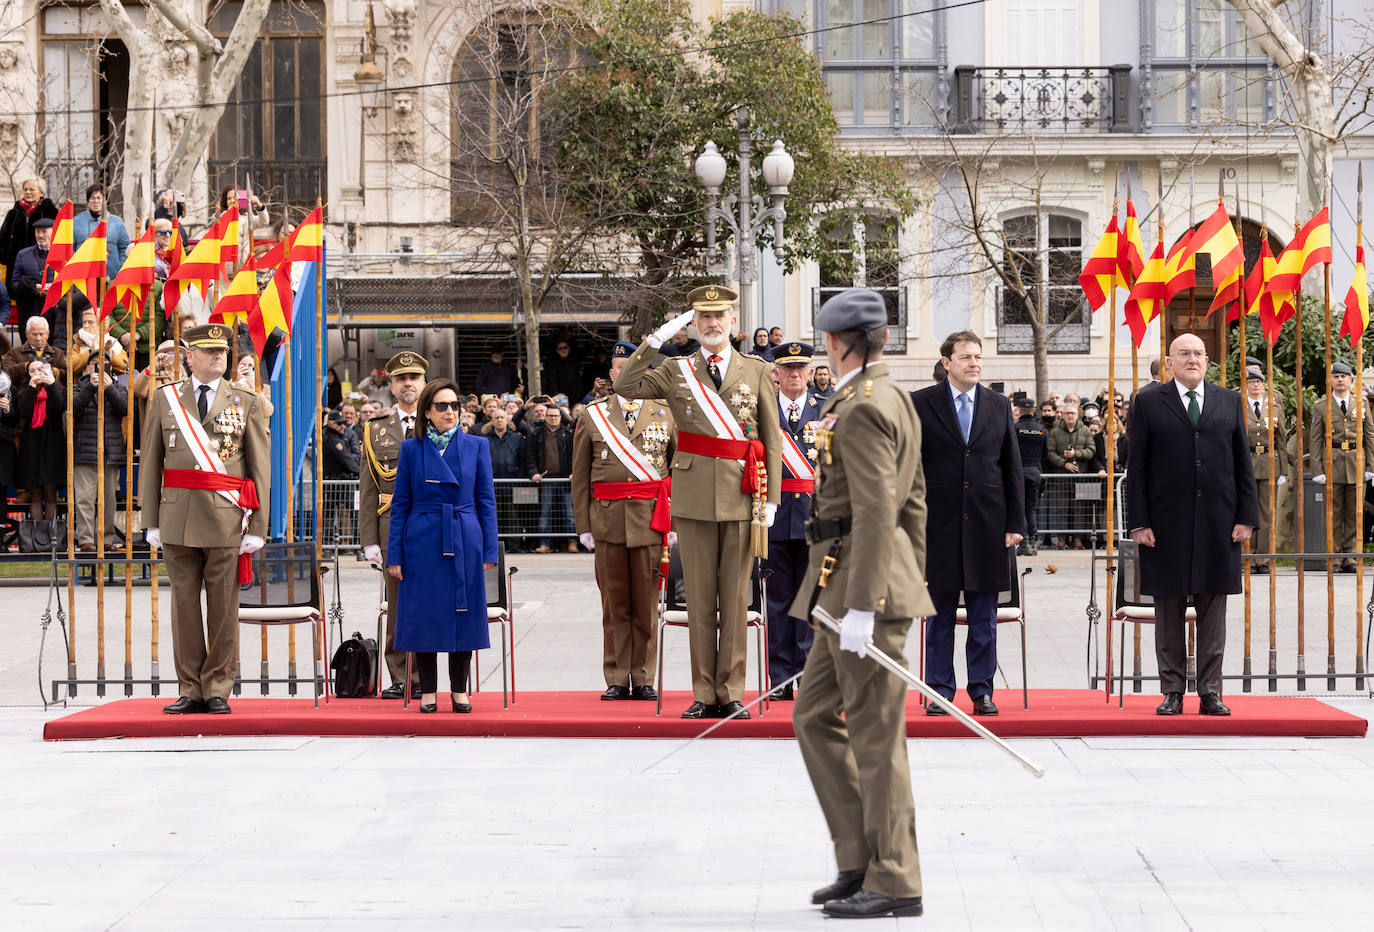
1339, 476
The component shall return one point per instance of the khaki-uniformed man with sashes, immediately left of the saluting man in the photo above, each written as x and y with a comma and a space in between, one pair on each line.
622, 450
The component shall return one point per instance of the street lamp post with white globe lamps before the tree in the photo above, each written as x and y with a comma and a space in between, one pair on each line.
752, 215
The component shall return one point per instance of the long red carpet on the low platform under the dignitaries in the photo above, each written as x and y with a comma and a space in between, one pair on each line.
1056, 714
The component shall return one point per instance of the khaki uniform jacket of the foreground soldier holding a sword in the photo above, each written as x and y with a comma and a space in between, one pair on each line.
870, 471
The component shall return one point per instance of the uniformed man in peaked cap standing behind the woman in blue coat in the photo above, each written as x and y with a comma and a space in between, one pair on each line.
381, 450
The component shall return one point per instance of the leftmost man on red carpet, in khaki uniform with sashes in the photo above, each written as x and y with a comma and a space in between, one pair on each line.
203, 479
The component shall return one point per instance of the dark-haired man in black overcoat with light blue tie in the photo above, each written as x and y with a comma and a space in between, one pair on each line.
976, 512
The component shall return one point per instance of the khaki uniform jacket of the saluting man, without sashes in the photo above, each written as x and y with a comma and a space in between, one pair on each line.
707, 489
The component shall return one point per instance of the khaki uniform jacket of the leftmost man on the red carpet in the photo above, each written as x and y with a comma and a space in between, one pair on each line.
238, 435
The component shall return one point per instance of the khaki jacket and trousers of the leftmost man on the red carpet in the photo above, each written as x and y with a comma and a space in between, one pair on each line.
201, 531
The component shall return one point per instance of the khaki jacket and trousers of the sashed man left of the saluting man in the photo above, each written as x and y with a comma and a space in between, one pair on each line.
629, 551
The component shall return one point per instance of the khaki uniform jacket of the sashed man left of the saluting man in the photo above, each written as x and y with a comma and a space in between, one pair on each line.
626, 522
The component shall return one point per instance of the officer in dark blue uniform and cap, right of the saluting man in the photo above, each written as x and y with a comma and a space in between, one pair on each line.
789, 639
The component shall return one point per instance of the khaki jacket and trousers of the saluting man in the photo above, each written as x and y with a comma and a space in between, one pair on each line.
711, 512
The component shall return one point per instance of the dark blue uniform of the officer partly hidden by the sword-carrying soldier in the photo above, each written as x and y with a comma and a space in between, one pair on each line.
789, 639
